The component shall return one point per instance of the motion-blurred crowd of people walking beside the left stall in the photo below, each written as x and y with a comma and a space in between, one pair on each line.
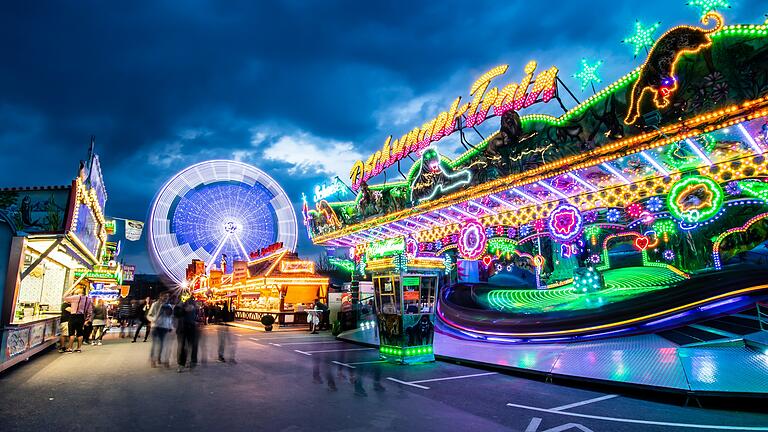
85, 320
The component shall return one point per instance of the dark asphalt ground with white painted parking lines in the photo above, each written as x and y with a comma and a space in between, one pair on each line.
294, 381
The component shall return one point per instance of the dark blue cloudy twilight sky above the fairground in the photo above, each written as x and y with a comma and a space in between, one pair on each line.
300, 89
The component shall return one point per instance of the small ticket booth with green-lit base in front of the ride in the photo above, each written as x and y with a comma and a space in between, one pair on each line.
405, 304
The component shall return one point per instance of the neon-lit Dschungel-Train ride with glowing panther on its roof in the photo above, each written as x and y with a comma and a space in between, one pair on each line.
643, 207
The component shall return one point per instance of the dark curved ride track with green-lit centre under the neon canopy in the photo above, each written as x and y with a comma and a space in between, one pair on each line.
483, 311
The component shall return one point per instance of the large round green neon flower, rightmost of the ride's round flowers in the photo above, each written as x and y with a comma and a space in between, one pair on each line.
695, 199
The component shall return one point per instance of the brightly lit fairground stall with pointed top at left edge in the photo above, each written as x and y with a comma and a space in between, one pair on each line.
48, 234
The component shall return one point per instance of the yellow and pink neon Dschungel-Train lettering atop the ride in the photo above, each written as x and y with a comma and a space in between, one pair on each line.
514, 96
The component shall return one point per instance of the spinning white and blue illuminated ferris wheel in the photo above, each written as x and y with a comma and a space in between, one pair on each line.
216, 210
